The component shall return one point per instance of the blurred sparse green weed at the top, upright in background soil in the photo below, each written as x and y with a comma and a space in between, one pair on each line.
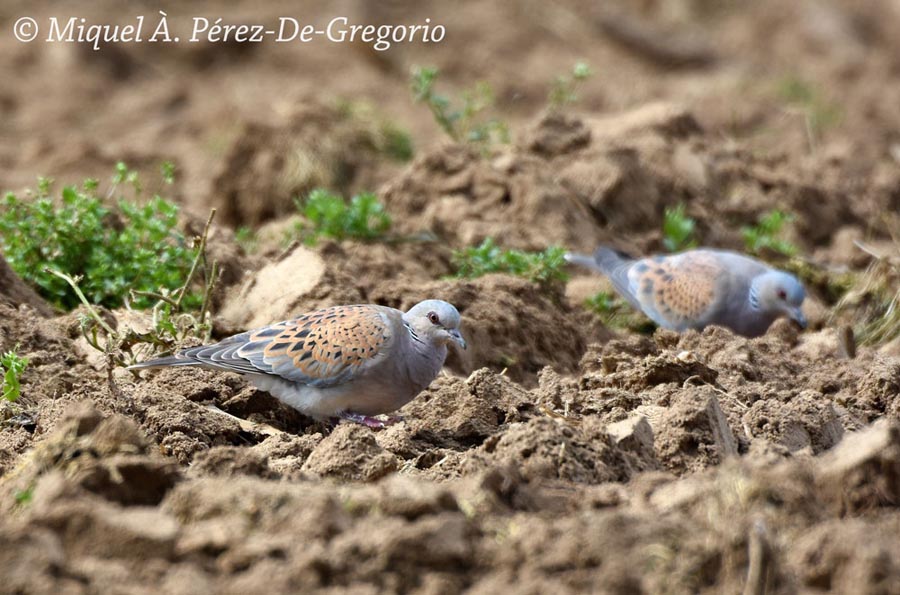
464, 119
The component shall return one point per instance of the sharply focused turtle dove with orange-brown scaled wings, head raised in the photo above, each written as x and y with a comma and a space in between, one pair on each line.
349, 362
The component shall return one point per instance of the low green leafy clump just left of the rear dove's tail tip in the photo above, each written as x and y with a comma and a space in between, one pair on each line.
545, 268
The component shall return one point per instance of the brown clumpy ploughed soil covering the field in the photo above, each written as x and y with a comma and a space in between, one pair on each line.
555, 455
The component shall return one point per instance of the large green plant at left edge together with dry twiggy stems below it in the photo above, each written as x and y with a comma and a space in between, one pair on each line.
80, 250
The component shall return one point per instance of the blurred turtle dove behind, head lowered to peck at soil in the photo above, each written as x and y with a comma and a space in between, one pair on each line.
697, 288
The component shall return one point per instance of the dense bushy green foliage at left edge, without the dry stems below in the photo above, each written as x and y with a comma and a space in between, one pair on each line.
115, 249
